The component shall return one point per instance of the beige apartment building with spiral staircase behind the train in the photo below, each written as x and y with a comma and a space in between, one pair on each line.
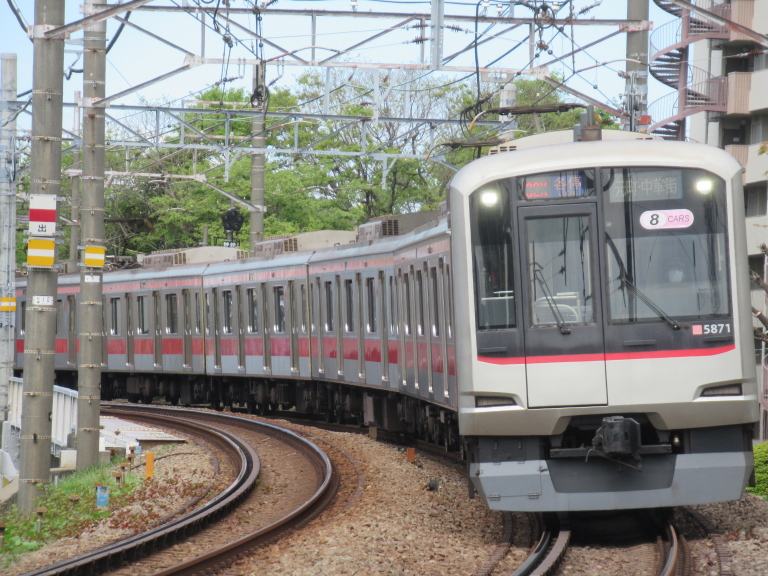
719, 73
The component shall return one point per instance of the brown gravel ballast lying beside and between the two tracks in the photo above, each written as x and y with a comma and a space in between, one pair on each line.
398, 524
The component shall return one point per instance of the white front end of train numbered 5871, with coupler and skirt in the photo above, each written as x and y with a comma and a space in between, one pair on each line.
602, 292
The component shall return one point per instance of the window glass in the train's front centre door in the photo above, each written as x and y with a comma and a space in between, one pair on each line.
559, 263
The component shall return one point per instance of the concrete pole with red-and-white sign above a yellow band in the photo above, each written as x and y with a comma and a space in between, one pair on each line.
42, 282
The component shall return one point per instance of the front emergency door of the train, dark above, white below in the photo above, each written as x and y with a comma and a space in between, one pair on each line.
565, 355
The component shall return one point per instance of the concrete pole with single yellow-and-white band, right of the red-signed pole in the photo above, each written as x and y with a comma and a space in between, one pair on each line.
92, 236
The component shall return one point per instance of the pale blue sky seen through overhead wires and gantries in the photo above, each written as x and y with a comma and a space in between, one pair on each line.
138, 57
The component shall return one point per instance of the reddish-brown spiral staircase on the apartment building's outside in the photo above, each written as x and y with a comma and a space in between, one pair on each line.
696, 90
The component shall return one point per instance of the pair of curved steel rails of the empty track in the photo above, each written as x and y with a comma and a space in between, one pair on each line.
245, 459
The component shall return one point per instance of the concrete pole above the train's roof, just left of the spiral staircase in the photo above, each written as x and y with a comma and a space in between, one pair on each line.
637, 72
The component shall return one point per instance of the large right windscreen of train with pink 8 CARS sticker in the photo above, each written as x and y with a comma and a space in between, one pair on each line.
665, 234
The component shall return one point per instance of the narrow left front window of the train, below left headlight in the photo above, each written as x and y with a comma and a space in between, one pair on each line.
492, 257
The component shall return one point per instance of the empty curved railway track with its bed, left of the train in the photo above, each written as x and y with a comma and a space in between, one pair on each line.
165, 549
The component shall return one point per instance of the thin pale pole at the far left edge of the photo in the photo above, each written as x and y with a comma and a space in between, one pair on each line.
7, 227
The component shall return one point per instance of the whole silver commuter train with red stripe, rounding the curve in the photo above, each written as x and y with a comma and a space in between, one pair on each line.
574, 319
